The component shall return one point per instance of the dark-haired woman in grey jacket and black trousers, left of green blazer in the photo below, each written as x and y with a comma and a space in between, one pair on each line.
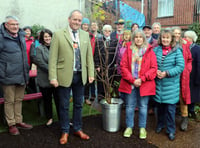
42, 56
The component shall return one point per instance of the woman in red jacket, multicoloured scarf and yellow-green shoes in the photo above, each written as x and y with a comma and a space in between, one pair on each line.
138, 70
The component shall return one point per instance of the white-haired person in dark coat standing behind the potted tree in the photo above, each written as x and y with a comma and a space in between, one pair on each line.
104, 56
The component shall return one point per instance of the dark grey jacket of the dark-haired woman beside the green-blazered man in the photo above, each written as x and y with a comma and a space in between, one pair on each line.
41, 60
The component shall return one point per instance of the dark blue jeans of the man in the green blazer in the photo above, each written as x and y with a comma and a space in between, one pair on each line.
78, 93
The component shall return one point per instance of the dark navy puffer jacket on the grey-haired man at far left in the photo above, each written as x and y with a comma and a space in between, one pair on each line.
14, 67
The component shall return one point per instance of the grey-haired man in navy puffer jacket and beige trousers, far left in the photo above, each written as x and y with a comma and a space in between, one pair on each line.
13, 72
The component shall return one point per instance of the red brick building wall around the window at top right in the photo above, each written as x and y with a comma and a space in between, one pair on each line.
183, 13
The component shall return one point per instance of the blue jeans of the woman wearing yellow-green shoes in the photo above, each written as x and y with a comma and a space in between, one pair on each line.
132, 100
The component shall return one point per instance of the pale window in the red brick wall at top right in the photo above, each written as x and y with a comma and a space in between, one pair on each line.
165, 8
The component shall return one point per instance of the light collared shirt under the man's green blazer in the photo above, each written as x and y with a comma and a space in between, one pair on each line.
74, 40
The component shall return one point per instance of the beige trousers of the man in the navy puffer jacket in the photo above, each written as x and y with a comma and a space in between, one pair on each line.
13, 95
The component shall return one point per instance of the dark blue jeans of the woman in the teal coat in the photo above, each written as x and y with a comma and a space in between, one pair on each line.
166, 116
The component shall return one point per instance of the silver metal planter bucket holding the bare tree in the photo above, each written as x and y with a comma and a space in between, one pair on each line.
111, 114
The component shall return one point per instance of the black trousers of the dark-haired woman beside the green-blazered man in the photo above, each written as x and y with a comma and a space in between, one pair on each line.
48, 93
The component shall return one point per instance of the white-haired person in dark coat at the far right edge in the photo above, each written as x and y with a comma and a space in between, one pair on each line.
195, 73
